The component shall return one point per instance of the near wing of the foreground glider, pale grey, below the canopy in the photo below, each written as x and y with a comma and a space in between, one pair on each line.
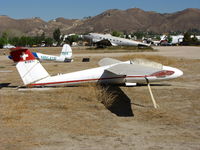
132, 70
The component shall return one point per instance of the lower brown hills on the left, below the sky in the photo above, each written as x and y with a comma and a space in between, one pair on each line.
34, 26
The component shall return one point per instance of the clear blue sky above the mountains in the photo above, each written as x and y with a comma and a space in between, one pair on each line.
77, 9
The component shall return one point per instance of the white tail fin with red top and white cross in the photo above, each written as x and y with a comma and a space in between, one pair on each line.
28, 67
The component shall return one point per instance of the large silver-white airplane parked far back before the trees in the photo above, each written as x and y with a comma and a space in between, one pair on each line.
113, 41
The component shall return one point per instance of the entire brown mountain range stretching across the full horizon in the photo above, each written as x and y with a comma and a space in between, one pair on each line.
129, 20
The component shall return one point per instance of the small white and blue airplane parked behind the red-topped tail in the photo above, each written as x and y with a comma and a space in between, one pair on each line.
65, 55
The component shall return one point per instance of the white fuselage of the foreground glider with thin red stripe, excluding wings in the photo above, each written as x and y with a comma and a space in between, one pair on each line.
102, 76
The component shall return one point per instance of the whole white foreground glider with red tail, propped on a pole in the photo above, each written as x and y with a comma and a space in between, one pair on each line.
112, 71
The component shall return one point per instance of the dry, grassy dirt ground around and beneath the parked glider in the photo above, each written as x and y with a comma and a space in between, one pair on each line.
74, 117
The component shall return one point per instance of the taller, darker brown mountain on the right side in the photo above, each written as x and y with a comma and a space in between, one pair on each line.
135, 19
